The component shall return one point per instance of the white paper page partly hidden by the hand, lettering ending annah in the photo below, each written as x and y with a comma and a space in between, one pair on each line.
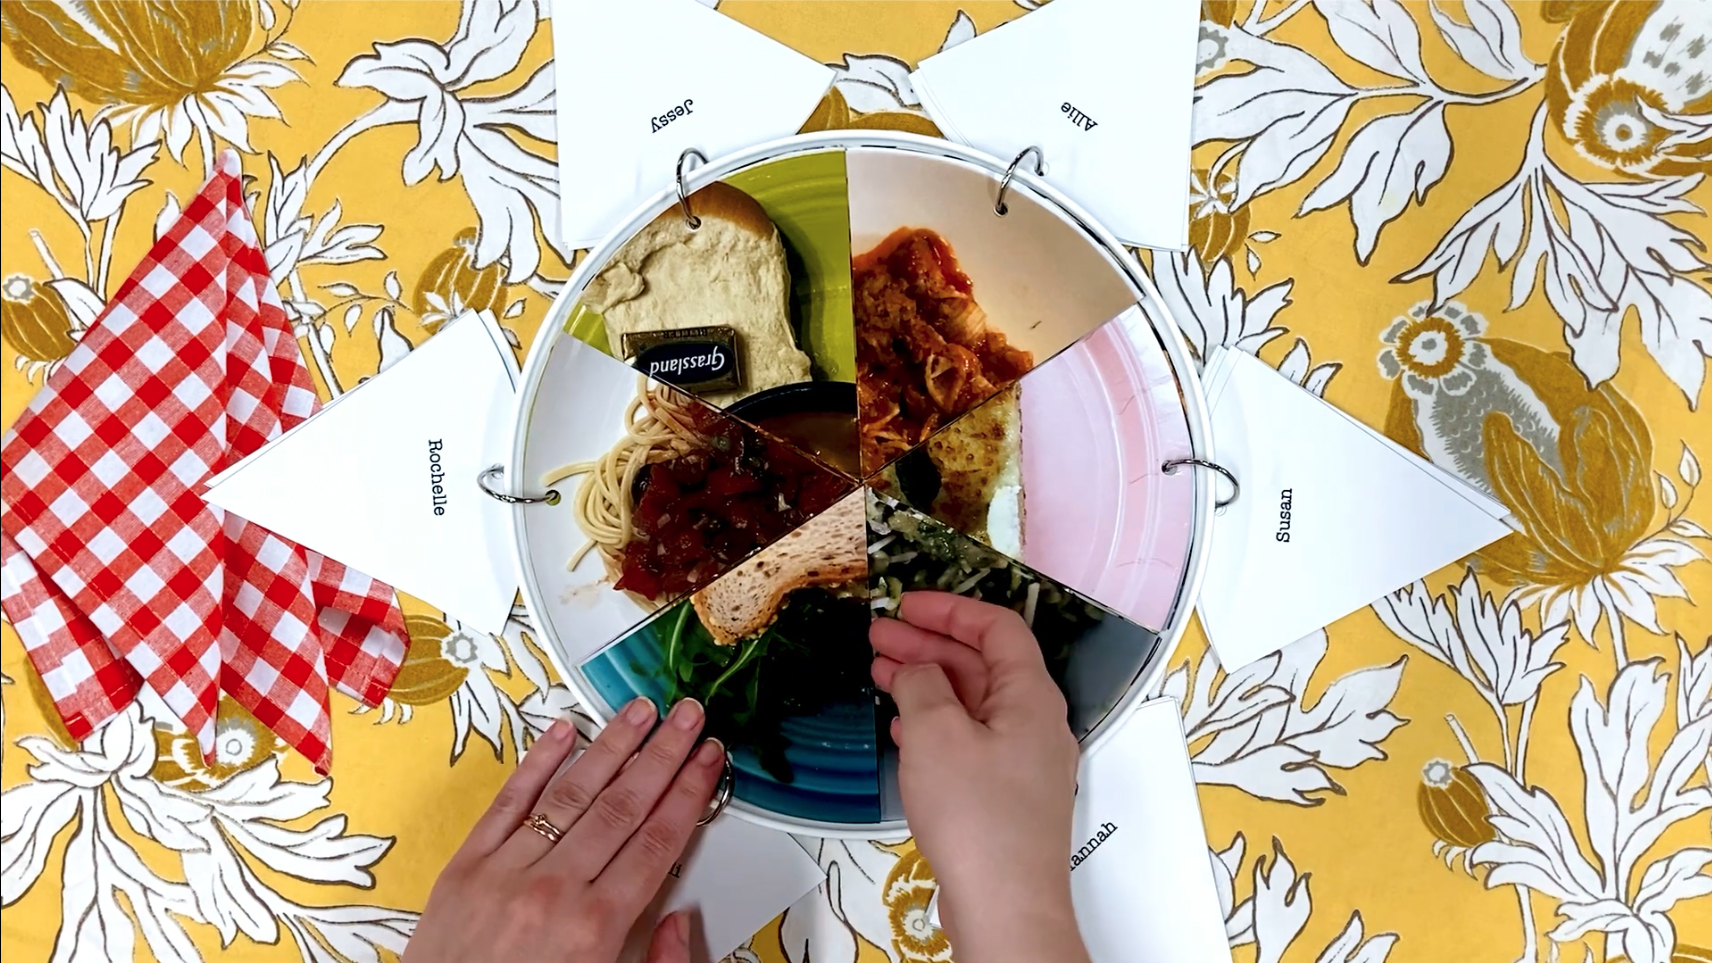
1139, 878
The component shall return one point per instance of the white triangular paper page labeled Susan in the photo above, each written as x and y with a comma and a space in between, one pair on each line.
1331, 517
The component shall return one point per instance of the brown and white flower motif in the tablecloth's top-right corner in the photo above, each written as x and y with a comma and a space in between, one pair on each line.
1631, 85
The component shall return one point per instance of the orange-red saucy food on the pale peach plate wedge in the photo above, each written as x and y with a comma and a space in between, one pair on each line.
925, 352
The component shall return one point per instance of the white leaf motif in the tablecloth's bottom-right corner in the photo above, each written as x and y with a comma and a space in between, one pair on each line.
1629, 804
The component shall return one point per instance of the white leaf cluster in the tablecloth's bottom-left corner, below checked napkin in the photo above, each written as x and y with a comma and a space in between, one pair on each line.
217, 828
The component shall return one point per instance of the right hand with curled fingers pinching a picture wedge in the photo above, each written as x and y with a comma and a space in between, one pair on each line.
987, 770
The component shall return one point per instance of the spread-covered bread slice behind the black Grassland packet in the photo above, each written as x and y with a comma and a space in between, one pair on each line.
730, 272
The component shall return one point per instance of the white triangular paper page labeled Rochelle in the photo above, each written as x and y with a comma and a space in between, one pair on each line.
384, 479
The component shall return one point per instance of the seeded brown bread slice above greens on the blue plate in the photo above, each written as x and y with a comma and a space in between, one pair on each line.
828, 551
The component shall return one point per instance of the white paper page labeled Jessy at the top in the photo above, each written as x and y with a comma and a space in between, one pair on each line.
655, 78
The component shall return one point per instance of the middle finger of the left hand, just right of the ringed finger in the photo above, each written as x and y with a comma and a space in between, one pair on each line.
622, 806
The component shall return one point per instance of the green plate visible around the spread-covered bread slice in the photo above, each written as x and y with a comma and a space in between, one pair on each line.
807, 196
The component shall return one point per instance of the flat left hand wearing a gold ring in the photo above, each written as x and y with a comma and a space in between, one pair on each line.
624, 813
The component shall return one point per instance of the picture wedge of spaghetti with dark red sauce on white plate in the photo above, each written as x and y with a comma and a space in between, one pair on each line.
658, 496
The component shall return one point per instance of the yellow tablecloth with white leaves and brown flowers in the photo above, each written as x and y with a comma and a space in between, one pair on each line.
1471, 224
